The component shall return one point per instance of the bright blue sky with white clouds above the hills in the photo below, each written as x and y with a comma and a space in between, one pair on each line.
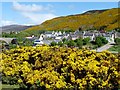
33, 13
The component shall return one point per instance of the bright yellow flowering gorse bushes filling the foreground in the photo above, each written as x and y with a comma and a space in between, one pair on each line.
46, 67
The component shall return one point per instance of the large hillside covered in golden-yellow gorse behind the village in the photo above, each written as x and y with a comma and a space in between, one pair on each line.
94, 19
